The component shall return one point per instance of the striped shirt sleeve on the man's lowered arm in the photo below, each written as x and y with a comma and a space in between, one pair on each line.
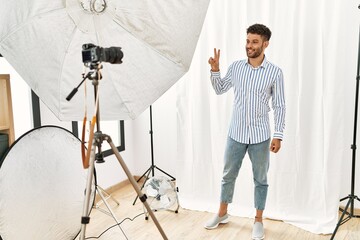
278, 105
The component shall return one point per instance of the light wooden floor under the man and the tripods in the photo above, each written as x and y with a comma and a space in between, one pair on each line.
188, 225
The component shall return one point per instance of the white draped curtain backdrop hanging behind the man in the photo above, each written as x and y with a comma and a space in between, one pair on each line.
315, 43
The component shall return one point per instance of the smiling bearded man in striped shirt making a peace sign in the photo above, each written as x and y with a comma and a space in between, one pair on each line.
254, 81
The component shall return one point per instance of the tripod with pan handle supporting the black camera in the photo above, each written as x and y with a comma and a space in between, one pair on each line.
98, 139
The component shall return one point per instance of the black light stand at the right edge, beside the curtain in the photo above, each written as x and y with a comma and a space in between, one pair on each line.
351, 197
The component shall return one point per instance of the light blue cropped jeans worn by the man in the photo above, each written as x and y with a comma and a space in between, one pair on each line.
234, 154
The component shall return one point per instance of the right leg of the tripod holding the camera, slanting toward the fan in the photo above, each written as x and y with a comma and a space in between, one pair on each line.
135, 185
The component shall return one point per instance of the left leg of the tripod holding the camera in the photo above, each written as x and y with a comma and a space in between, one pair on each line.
85, 219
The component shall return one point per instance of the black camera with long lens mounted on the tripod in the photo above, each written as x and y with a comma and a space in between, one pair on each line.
95, 54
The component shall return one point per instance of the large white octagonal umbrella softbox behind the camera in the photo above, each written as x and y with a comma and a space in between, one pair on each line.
43, 41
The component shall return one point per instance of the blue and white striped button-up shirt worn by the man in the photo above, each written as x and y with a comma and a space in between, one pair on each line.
253, 88
